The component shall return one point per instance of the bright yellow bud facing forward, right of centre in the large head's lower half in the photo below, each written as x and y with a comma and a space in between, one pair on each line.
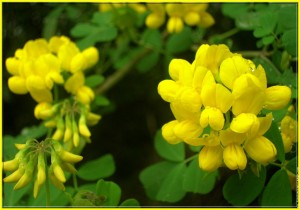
244, 123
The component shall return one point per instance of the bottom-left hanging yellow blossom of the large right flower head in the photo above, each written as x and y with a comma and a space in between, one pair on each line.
210, 158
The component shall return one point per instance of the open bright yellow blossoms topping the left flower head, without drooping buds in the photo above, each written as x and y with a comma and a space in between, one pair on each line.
40, 64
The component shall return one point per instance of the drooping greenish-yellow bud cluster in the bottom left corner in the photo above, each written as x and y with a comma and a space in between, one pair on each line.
31, 162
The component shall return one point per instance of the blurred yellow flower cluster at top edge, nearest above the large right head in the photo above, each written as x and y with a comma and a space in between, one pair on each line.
179, 14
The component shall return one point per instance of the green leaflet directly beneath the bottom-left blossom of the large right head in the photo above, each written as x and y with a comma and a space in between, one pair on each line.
198, 181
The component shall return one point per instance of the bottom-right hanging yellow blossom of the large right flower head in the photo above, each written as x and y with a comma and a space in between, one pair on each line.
261, 149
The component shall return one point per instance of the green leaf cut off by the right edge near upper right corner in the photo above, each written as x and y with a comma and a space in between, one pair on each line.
289, 41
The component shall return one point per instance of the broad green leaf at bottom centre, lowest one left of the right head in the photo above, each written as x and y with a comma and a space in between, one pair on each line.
163, 181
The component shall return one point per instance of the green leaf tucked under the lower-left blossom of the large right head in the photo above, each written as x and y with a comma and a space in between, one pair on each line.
172, 152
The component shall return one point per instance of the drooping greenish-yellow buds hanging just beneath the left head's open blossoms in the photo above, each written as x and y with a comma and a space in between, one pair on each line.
70, 118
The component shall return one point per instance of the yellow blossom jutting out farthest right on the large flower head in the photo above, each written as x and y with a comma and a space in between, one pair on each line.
277, 97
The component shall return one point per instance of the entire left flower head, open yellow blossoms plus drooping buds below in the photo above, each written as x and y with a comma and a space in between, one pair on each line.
39, 65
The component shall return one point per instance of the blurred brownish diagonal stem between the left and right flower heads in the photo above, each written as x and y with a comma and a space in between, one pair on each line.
119, 74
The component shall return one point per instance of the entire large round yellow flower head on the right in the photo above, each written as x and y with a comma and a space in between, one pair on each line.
224, 93
